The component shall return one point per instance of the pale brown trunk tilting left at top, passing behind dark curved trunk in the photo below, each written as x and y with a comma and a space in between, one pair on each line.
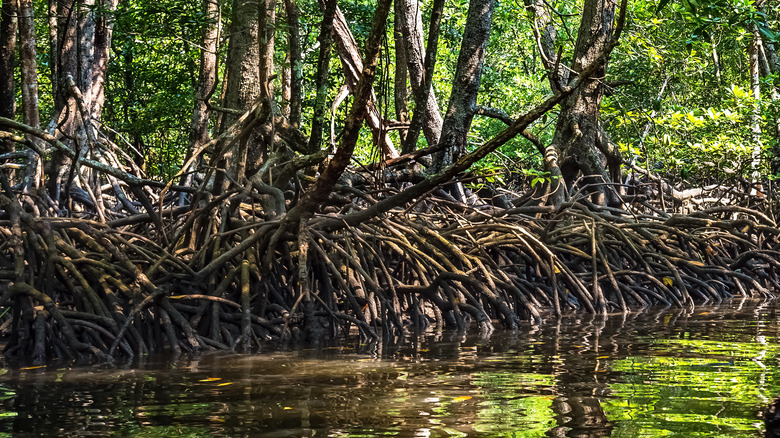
353, 66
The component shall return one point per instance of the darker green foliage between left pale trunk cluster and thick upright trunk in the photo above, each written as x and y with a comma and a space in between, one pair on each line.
151, 78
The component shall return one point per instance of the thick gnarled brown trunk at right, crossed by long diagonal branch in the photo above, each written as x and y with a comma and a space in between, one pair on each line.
578, 132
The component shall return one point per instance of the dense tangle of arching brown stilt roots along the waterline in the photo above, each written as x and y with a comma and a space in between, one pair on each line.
221, 274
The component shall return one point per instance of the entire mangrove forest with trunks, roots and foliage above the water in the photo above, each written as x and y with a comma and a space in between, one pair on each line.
182, 176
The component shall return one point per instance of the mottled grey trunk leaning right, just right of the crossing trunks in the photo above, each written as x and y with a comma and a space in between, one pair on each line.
465, 86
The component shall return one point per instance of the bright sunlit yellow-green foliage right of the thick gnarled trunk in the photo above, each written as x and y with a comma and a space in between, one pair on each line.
699, 128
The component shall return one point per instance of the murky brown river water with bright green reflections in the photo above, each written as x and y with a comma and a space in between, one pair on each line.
662, 373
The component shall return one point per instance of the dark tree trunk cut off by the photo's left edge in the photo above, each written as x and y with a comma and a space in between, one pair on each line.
8, 26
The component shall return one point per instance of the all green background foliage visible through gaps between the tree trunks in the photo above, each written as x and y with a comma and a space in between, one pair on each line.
699, 130
